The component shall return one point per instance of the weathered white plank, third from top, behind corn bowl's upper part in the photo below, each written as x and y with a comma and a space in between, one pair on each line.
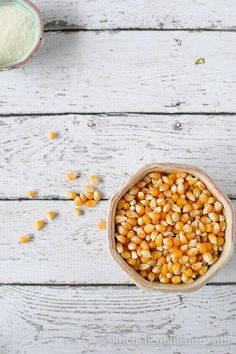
113, 147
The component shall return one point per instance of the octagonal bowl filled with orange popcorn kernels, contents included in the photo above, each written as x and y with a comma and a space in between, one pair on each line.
170, 228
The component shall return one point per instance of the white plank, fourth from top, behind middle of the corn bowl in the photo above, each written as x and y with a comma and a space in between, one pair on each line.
68, 250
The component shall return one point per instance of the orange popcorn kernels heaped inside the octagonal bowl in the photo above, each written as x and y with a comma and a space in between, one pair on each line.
169, 227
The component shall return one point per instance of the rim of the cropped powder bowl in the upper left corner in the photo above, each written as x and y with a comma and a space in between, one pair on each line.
33, 8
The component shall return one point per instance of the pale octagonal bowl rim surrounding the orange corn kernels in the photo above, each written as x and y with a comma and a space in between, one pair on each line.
229, 232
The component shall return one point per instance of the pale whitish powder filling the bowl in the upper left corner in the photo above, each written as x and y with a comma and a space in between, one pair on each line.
17, 33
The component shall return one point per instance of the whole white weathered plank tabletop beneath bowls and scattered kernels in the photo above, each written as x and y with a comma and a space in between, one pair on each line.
117, 79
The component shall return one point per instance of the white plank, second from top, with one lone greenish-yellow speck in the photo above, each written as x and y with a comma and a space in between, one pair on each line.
127, 71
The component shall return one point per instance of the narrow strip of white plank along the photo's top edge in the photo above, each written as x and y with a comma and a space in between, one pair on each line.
121, 14
